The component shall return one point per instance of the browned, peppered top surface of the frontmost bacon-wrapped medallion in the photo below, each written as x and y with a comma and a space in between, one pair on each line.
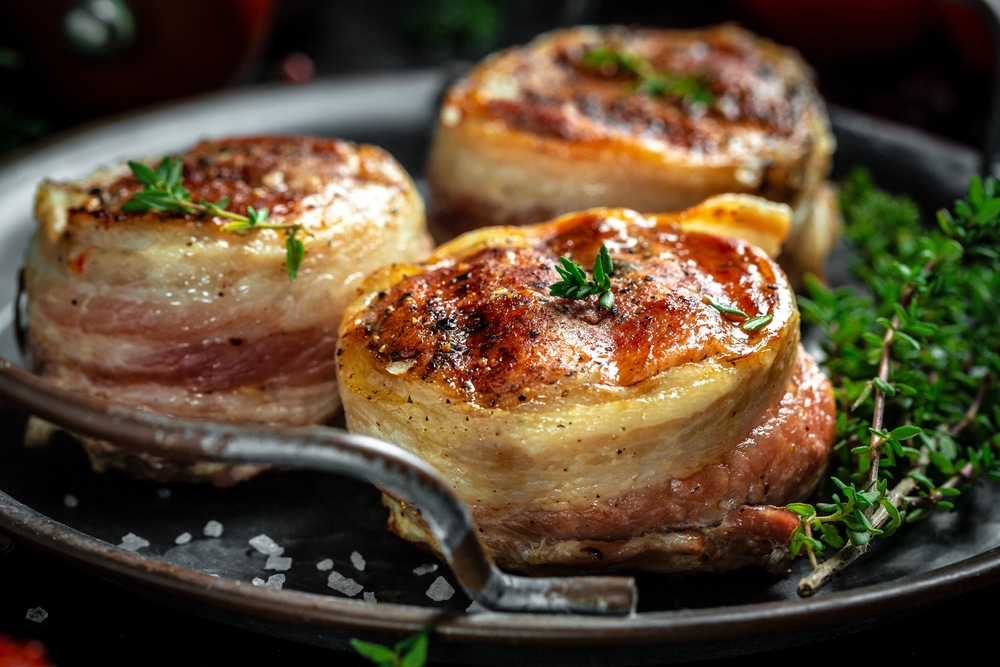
482, 323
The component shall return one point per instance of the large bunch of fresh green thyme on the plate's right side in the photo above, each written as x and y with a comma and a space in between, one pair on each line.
914, 355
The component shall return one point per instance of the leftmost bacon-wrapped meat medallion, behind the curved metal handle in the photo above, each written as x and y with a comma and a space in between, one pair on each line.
170, 312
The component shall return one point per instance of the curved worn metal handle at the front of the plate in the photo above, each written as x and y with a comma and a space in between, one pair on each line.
332, 450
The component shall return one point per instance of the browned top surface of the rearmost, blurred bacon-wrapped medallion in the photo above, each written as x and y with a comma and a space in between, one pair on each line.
547, 88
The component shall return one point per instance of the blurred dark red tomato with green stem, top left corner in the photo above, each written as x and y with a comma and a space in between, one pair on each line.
175, 48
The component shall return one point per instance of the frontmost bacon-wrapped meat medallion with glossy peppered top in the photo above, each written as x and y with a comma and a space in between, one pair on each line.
652, 436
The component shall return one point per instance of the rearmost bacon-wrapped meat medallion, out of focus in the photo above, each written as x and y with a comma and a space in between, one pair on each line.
533, 131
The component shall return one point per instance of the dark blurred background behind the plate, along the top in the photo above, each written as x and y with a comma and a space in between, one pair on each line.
925, 63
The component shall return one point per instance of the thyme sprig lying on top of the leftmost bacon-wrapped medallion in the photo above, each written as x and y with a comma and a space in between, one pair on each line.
164, 191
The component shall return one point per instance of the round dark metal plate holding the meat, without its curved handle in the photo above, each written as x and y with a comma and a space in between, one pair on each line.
50, 498
